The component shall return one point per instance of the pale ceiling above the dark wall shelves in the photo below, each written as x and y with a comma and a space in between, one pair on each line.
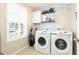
44, 6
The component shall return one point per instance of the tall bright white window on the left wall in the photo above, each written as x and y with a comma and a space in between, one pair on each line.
16, 22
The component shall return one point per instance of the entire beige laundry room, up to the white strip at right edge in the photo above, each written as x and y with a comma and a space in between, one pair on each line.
38, 29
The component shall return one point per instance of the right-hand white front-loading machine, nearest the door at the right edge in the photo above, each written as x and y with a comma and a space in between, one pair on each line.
61, 43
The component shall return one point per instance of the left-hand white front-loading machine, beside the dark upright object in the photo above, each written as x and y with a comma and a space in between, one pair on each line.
42, 41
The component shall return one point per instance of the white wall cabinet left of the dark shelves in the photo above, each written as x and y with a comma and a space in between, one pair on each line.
36, 17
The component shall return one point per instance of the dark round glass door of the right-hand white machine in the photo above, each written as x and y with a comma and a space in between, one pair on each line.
61, 44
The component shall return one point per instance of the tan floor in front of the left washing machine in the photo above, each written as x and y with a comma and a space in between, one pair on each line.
29, 51
